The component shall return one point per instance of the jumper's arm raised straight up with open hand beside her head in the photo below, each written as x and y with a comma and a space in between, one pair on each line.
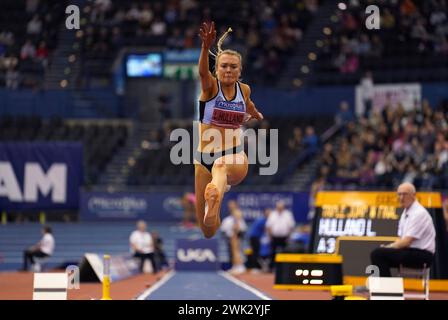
207, 33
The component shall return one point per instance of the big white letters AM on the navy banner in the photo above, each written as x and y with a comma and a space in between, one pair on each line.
35, 180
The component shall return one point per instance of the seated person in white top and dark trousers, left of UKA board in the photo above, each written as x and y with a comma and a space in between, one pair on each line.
142, 245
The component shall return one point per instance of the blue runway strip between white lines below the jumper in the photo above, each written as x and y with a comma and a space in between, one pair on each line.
200, 286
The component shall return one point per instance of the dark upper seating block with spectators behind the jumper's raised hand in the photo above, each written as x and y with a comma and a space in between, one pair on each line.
265, 35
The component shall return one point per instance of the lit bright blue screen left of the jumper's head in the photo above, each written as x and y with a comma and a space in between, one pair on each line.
144, 65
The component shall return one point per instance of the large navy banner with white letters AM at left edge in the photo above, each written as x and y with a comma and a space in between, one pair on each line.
37, 176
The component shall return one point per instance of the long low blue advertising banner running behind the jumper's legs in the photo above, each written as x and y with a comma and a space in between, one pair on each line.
167, 206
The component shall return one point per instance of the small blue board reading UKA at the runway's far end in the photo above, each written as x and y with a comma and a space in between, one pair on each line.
197, 255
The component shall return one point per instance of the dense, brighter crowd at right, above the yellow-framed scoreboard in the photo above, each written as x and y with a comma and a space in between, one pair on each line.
389, 146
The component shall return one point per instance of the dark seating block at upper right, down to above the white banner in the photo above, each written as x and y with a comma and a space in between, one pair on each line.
411, 44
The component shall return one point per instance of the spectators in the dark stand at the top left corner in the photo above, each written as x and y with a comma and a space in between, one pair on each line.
26, 43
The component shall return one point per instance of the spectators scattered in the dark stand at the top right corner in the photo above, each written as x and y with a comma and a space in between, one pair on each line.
407, 28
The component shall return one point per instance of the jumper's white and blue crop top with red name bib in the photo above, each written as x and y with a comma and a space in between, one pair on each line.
221, 112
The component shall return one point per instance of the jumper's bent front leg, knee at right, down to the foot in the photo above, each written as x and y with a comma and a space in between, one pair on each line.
229, 169
